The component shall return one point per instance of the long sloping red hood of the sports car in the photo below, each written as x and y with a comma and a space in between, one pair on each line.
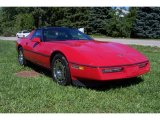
96, 53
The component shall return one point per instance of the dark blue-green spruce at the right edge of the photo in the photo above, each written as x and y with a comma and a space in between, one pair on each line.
147, 24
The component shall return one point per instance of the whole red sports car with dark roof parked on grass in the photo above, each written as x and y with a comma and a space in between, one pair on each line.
72, 55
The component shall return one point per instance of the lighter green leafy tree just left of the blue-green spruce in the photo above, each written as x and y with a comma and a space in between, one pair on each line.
118, 26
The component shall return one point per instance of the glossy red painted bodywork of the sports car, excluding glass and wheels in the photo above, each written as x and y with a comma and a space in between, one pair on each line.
92, 55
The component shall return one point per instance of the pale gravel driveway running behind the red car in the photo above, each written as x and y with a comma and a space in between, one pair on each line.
143, 42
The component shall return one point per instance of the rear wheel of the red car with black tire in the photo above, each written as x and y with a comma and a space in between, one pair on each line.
21, 59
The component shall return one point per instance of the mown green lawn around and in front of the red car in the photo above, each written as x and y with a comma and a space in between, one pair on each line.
41, 94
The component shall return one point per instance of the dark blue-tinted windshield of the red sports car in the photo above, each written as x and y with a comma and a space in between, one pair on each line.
61, 34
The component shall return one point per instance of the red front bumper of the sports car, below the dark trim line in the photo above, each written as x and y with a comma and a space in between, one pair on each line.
95, 73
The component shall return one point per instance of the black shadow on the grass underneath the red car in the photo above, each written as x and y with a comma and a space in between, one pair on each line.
92, 84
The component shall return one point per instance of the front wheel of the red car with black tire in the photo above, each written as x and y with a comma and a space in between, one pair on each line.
60, 70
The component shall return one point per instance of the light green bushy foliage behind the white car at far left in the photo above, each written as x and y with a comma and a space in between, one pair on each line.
15, 19
